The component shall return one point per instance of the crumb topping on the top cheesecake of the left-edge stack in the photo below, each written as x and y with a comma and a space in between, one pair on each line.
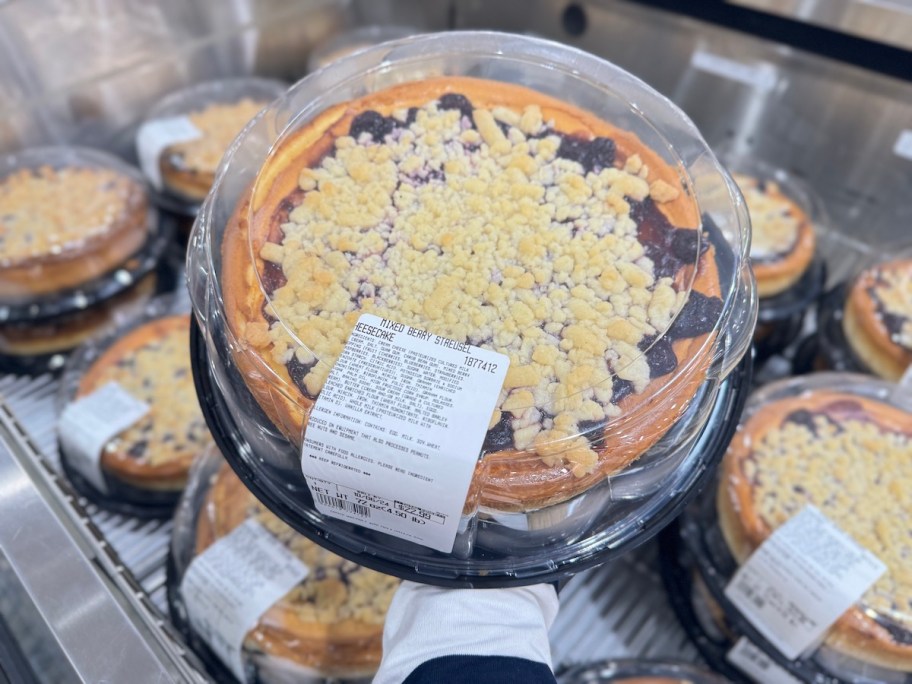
47, 212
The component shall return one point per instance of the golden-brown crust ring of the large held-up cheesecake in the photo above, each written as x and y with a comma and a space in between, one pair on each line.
512, 479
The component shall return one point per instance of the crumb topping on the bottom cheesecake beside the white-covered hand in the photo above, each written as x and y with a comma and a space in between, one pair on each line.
335, 589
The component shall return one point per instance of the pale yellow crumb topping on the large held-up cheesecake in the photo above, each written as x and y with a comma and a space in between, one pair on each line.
480, 233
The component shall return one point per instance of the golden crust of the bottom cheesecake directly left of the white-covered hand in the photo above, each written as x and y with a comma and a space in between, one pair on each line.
339, 647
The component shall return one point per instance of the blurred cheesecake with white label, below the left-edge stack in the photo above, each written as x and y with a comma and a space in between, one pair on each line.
152, 364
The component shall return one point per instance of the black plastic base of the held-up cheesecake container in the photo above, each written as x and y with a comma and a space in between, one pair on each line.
711, 444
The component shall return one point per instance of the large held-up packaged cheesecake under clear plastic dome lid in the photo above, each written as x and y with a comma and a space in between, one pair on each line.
461, 295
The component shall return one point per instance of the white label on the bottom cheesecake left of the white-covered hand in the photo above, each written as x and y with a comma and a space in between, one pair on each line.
229, 586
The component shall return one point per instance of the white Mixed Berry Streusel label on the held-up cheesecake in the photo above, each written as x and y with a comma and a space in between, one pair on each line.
394, 437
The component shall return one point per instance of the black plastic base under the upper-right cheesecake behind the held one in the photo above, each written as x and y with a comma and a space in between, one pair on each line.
781, 317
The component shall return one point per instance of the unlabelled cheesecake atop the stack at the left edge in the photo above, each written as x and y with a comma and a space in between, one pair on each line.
60, 228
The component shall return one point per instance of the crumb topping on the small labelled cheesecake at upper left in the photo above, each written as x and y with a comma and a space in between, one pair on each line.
219, 124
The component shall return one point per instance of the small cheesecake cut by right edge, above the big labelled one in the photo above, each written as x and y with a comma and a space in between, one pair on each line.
878, 318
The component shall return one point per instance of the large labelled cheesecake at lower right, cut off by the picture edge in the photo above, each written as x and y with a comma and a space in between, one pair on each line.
851, 457
